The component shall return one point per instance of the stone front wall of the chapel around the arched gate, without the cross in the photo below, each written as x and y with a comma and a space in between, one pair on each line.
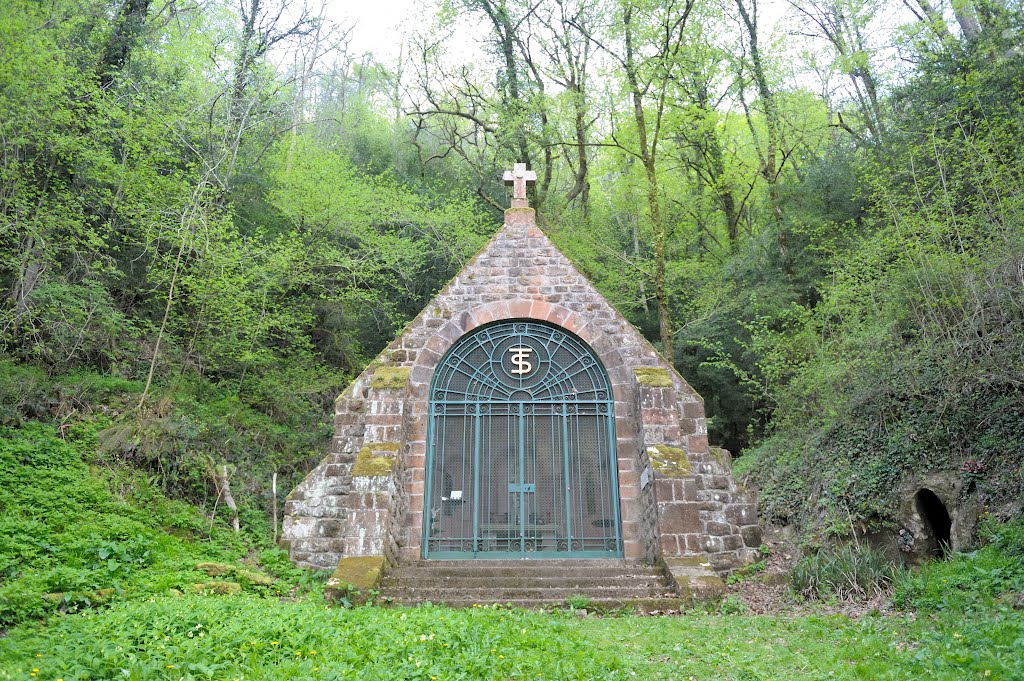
677, 499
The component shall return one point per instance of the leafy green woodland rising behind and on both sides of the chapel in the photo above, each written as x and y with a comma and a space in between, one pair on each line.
215, 216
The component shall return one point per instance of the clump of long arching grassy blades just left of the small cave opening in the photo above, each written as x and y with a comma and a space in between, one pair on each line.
848, 572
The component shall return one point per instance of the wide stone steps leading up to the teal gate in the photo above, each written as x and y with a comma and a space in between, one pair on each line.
595, 585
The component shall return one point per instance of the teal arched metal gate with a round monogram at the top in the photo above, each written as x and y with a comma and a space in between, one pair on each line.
522, 449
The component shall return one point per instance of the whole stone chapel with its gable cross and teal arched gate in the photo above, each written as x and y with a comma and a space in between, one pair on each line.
521, 418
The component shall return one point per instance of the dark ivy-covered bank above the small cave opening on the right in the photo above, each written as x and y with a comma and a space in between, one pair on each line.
854, 467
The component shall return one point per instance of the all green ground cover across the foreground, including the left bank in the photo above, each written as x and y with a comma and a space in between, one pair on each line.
73, 529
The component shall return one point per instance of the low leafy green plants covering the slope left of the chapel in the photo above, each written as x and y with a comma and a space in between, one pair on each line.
72, 537
